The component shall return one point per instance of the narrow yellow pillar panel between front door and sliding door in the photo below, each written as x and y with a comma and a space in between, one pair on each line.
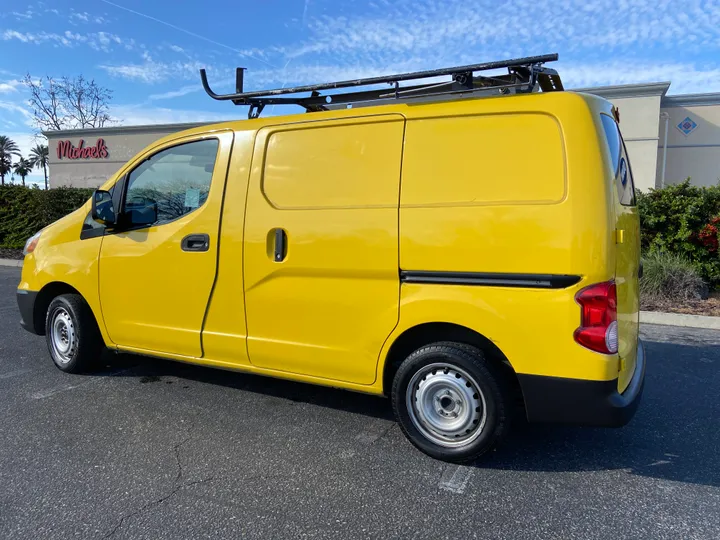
225, 331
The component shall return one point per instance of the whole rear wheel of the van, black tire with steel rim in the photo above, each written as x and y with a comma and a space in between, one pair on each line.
493, 404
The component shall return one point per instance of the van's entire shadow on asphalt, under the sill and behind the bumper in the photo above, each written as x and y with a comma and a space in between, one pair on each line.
675, 434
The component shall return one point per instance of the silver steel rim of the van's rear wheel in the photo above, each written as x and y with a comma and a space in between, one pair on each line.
446, 405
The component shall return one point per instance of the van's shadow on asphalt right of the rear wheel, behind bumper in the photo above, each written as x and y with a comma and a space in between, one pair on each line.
675, 434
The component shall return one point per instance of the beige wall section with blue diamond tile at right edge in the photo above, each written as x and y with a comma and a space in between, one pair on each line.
696, 155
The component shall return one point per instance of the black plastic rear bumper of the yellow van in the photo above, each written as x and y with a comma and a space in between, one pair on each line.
577, 401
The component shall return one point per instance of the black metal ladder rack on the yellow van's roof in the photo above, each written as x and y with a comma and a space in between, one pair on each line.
523, 75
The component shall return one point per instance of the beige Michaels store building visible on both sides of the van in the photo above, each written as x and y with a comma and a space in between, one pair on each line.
669, 138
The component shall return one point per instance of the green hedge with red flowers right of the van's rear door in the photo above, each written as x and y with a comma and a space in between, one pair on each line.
684, 220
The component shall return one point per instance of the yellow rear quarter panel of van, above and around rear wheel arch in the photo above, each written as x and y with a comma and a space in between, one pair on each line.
507, 192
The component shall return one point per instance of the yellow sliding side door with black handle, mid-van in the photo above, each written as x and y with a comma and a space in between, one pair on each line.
321, 246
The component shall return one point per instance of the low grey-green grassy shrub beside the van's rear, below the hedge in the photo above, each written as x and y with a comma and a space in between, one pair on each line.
670, 277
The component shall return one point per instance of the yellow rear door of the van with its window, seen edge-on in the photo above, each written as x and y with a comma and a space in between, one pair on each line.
627, 256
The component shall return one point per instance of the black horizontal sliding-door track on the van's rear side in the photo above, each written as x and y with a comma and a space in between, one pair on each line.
490, 279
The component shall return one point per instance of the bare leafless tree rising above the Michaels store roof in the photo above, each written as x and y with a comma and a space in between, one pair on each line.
68, 103
